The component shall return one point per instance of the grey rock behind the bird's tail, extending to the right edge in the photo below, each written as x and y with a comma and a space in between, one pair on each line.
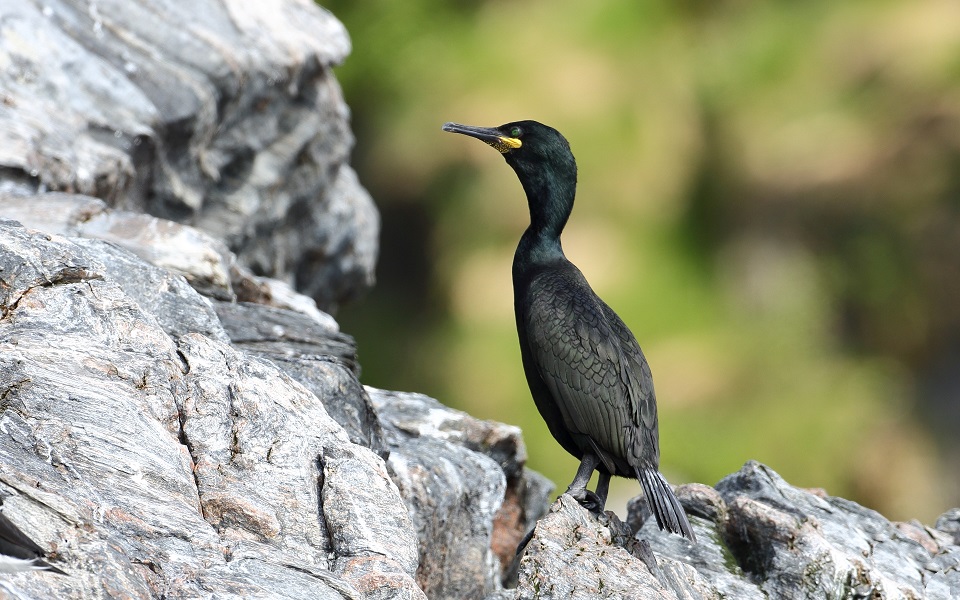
761, 537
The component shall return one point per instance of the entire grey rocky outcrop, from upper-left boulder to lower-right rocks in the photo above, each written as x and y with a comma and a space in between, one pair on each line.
174, 425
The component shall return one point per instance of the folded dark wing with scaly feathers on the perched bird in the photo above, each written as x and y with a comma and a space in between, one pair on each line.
594, 369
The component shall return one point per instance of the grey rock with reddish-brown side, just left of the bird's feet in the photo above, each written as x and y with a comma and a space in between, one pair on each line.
466, 490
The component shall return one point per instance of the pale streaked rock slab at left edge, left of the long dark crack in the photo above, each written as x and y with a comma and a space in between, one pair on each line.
89, 427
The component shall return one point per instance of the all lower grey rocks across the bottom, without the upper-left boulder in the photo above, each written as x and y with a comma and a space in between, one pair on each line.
163, 443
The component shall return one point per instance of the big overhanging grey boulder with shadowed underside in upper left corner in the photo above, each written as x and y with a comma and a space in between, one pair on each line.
219, 114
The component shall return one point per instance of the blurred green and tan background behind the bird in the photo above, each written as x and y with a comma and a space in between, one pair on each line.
769, 195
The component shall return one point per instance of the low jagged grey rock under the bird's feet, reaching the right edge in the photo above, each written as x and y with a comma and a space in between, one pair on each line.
758, 537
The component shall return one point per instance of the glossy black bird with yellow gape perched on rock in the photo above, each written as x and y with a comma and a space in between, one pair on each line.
586, 372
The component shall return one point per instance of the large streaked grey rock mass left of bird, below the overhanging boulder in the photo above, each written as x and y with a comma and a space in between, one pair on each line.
163, 443
